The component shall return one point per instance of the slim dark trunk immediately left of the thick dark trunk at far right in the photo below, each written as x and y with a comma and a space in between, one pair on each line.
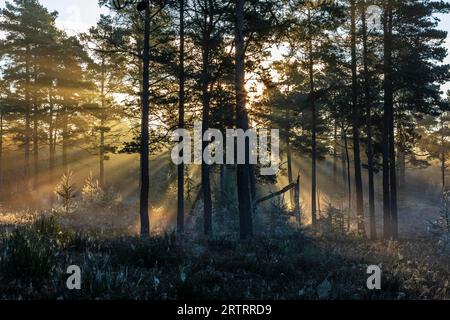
368, 103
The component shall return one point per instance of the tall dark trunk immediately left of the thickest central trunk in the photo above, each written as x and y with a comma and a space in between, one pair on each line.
206, 99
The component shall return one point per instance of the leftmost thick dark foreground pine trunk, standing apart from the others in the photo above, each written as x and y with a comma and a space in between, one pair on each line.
145, 153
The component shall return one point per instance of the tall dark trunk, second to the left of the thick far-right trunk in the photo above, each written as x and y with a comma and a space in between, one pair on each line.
355, 123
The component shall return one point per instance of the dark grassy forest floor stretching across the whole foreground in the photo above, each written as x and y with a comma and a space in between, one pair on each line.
35, 257
